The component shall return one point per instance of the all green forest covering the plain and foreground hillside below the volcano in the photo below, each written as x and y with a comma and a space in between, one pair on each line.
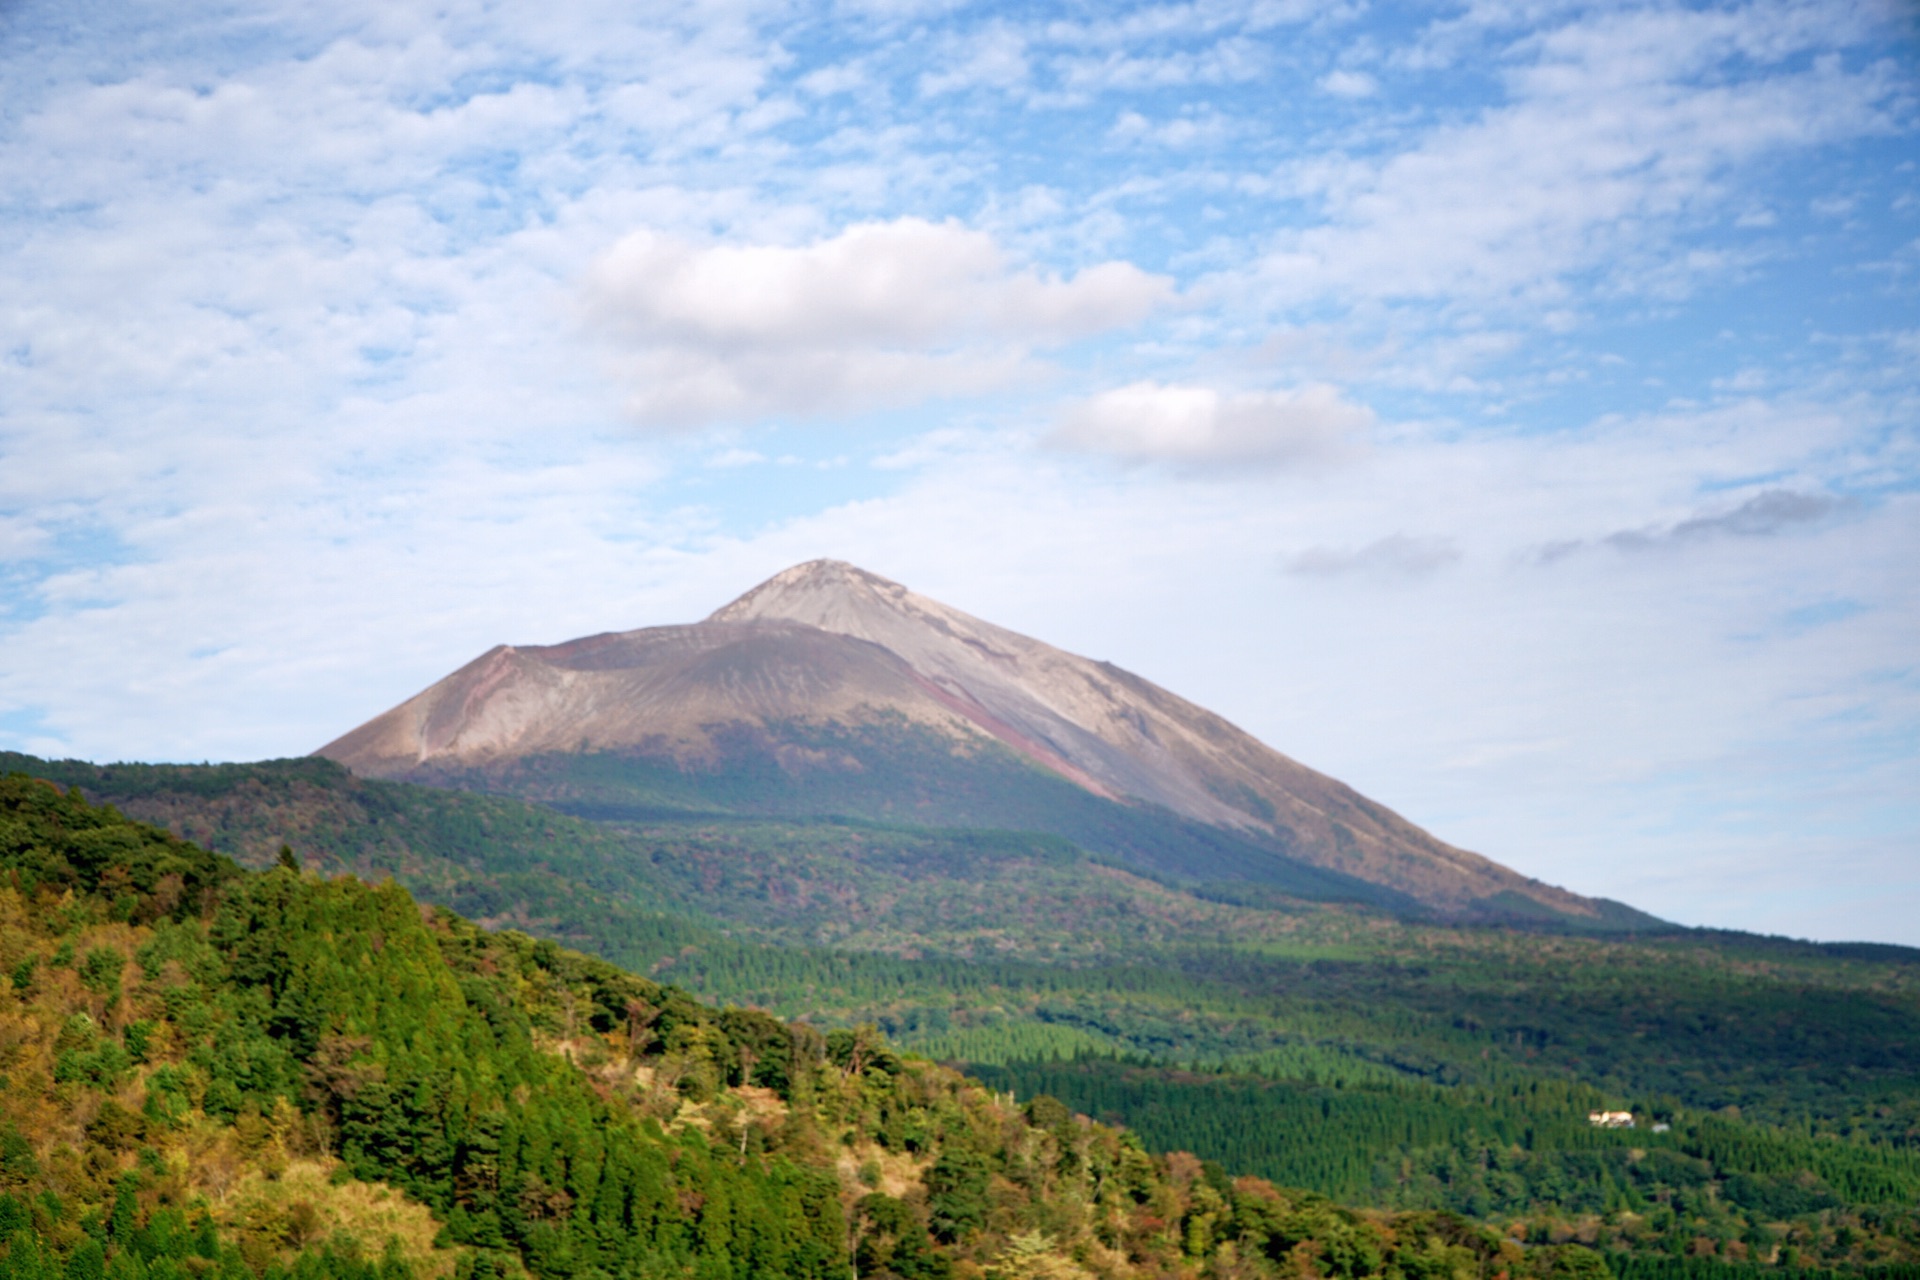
1414, 1072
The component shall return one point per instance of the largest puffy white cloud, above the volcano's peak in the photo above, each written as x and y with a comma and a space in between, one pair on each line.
884, 314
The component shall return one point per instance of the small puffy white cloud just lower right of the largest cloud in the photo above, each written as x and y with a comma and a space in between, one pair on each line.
1199, 425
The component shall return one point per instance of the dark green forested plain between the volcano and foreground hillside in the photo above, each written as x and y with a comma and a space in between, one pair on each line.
1015, 951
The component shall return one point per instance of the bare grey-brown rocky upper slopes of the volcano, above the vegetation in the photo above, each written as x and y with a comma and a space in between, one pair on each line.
828, 644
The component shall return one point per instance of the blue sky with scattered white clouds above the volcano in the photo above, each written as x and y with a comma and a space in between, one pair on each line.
1504, 408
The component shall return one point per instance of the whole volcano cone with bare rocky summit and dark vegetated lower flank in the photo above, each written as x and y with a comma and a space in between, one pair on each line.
830, 690
